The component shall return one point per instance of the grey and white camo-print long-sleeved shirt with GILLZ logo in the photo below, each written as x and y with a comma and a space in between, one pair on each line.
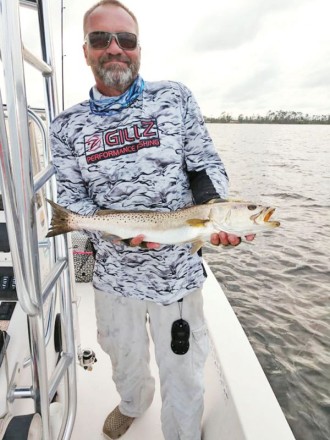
155, 154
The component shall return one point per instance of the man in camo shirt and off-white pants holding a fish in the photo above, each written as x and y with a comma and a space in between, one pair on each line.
138, 145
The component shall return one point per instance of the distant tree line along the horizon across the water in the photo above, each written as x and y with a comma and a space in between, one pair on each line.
272, 117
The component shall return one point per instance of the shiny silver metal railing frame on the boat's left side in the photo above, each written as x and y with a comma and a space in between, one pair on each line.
19, 187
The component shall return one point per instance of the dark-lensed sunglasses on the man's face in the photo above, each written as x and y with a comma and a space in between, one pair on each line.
102, 40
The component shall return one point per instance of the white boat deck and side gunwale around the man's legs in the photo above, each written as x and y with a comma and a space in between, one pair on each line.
239, 402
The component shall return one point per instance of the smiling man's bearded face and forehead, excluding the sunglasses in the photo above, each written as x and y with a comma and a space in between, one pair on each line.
113, 67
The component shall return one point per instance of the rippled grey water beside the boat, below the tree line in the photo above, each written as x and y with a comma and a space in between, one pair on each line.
279, 286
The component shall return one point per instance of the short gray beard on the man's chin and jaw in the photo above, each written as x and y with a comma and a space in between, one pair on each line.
118, 78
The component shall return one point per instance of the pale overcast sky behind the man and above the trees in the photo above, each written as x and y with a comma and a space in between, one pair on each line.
242, 56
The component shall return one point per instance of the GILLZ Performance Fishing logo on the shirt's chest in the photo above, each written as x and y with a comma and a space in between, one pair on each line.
121, 141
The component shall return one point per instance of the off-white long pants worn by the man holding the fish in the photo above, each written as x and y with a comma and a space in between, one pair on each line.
122, 333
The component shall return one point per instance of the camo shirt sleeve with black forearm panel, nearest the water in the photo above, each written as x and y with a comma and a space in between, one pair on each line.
207, 174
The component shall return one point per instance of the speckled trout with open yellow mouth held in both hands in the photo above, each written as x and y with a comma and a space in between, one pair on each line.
194, 224
